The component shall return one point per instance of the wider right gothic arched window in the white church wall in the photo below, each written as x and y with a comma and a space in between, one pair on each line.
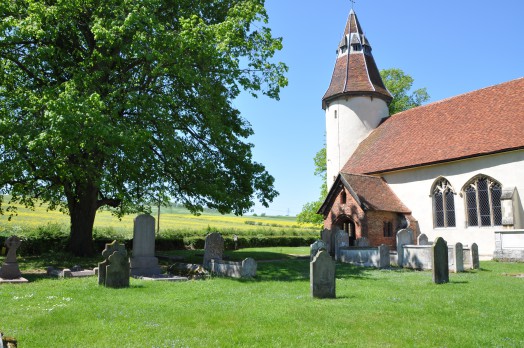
483, 207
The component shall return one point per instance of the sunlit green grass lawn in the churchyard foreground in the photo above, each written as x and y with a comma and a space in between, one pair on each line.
373, 308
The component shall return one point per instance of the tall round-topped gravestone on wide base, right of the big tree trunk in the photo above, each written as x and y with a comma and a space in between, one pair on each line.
143, 261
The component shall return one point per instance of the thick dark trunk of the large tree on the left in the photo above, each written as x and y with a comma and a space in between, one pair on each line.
82, 209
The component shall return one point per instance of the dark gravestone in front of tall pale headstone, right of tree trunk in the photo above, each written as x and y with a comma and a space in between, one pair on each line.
114, 271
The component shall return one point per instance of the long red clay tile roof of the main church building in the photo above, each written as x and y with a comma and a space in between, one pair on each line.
486, 121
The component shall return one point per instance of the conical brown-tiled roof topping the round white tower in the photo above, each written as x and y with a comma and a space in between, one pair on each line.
355, 72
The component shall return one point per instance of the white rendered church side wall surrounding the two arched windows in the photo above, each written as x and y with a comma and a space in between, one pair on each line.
413, 187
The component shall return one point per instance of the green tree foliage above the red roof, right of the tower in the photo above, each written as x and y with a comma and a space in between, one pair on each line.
399, 85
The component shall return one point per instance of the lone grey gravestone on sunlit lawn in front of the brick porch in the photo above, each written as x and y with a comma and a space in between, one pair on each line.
322, 276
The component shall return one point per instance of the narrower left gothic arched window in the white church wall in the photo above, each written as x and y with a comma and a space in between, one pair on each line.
443, 204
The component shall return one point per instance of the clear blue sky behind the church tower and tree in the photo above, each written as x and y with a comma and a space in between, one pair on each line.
450, 47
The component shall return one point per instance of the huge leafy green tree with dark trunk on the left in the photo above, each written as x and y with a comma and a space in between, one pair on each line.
107, 103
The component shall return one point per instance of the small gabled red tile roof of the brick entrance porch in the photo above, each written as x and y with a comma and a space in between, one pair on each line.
372, 193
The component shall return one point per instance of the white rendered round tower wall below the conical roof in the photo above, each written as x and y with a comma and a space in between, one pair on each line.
349, 120
